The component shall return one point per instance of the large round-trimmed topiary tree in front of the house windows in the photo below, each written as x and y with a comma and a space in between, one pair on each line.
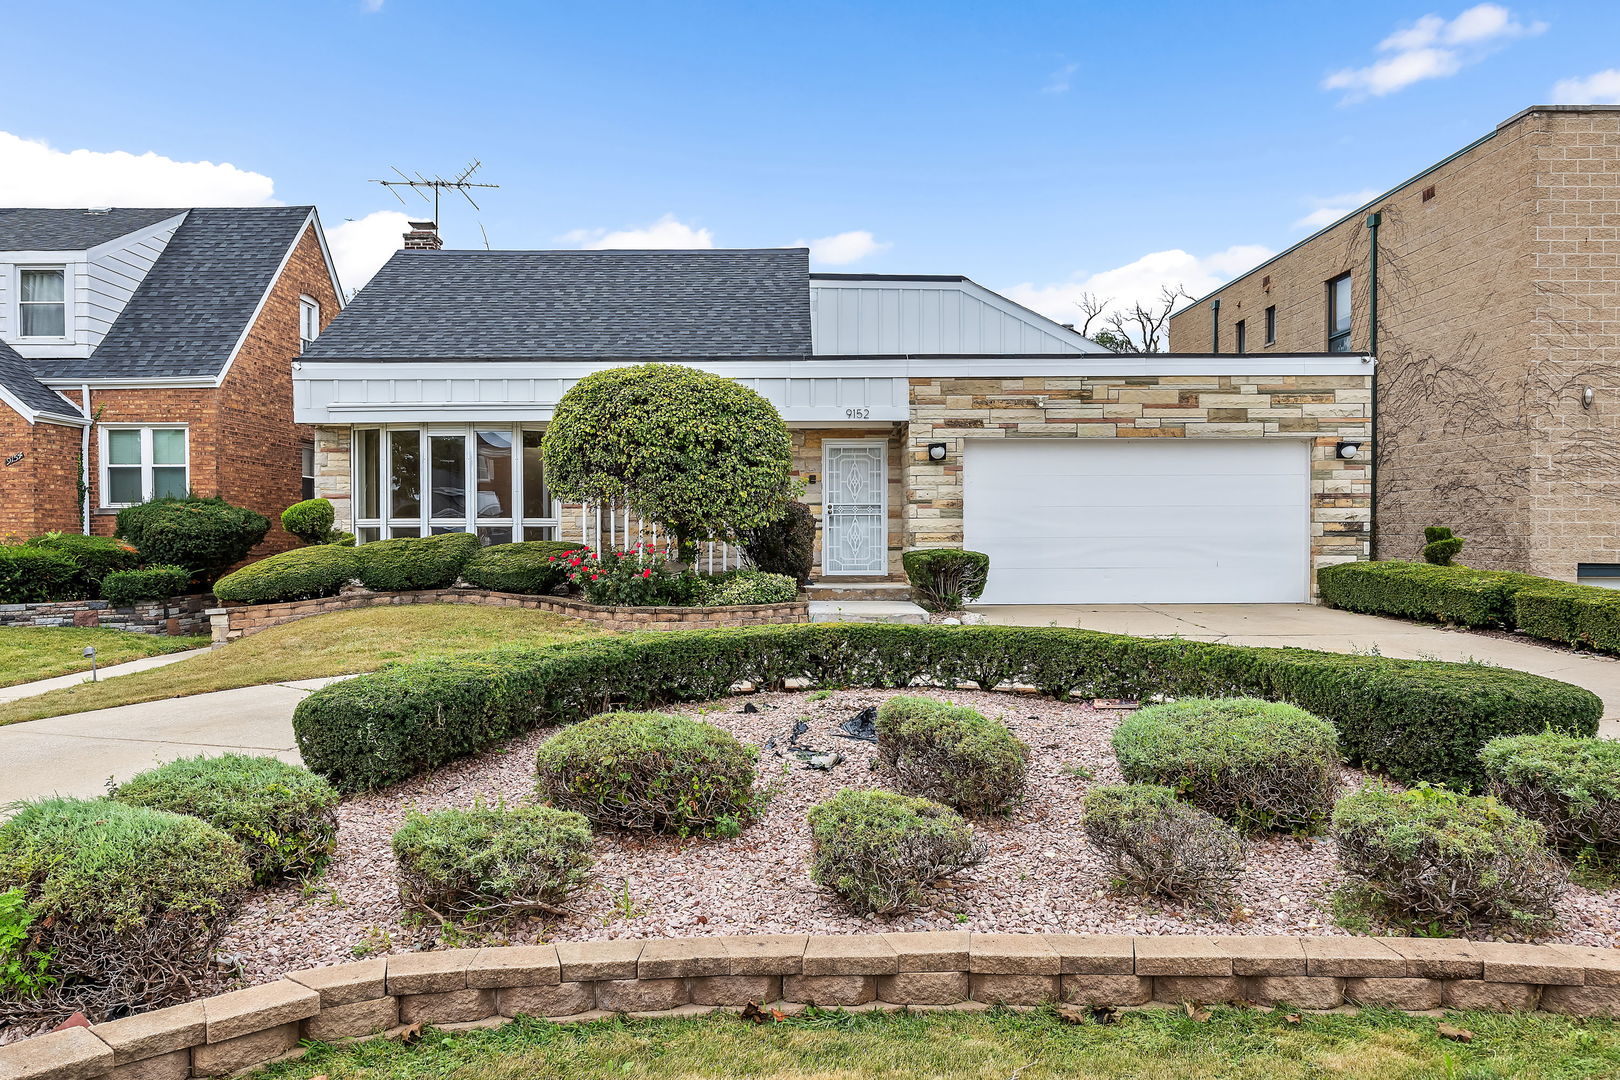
702, 456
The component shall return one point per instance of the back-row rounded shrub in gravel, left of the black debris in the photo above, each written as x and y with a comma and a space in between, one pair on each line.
650, 772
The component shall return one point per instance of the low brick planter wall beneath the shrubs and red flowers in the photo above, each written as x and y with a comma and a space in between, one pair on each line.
249, 619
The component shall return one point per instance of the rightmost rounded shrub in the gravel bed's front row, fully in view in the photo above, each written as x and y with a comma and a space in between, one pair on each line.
1431, 857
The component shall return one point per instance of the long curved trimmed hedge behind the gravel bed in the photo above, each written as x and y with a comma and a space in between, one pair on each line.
1413, 720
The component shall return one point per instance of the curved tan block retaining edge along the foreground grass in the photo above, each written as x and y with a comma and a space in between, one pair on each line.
678, 977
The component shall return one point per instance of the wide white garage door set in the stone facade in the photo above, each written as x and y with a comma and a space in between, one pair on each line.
1141, 521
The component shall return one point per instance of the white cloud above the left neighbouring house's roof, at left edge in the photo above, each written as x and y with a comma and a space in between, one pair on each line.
36, 174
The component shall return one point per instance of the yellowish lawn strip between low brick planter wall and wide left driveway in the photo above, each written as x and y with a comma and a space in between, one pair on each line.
343, 644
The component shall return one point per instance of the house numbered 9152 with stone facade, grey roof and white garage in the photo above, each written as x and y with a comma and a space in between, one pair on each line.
926, 412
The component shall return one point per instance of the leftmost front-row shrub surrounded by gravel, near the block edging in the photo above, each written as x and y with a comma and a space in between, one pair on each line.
490, 864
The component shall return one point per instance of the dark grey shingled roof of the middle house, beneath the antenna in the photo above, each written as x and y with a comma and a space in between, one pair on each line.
518, 305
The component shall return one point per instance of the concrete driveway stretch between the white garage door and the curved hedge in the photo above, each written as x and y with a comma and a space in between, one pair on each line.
1313, 627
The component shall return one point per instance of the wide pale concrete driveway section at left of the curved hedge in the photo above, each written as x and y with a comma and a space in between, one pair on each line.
85, 752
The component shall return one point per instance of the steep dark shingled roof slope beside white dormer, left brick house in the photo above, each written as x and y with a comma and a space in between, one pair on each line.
197, 300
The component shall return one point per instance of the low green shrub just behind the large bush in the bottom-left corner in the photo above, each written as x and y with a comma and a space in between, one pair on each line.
283, 815
